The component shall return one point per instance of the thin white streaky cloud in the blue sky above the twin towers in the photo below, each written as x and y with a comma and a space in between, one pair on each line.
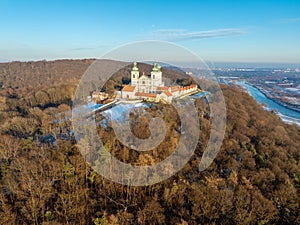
182, 35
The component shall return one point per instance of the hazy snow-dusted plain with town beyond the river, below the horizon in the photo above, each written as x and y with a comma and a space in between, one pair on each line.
280, 85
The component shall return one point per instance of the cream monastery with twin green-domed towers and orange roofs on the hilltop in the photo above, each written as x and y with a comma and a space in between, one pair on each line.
151, 87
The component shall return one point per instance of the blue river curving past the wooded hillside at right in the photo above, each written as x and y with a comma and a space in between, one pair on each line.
287, 115
